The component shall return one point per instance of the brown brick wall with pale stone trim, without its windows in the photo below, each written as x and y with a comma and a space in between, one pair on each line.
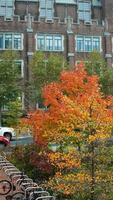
27, 20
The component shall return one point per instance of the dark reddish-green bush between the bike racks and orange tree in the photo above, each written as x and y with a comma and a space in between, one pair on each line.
33, 161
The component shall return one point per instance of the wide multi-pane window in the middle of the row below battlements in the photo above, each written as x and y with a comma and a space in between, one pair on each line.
49, 42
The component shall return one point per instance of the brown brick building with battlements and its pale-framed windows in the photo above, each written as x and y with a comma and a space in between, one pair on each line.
73, 28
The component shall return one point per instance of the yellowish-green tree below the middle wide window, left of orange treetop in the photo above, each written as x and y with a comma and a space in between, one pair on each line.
44, 69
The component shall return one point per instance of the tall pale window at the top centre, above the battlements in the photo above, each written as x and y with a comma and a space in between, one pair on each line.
46, 9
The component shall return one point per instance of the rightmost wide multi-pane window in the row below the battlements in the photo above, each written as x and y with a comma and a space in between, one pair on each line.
88, 43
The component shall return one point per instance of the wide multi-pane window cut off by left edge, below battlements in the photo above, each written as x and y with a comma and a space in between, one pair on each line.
11, 41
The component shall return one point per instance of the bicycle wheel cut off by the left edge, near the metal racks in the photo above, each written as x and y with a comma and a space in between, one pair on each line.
5, 187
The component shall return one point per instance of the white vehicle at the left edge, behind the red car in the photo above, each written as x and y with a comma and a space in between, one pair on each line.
7, 132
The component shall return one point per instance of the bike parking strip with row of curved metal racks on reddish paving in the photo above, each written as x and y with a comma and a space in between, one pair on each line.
19, 186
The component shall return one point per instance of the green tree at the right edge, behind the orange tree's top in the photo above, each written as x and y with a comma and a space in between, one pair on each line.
96, 64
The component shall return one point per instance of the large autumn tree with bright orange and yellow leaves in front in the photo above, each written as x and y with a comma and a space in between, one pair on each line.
80, 119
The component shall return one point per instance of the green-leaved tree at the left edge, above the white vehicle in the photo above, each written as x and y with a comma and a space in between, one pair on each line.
9, 82
